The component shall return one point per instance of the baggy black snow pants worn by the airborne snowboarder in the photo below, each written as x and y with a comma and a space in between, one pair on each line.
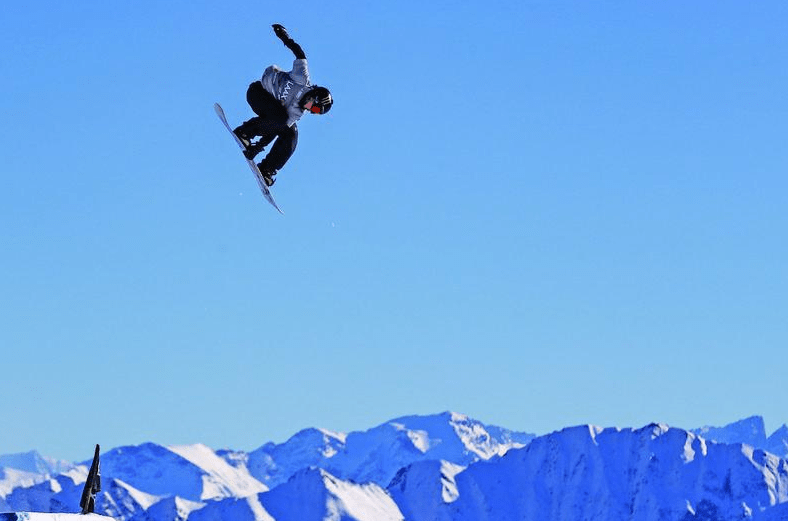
270, 123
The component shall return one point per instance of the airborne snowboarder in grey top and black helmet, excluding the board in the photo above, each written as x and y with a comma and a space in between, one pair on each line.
280, 99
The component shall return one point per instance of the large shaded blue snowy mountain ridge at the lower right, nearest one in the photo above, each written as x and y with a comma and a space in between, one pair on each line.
650, 474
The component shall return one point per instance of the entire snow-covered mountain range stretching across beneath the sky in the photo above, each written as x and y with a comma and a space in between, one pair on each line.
432, 468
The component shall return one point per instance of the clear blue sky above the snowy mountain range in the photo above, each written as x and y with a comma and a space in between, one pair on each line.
537, 213
